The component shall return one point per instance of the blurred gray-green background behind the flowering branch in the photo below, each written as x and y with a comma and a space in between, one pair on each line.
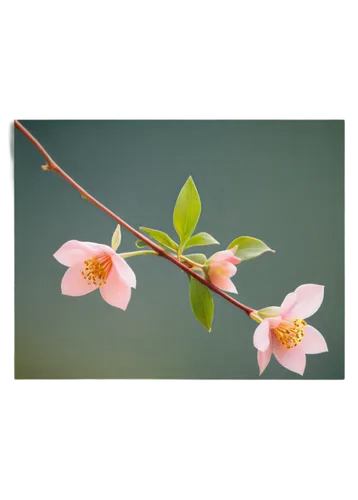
278, 180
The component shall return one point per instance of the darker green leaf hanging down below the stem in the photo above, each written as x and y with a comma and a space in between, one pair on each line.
202, 303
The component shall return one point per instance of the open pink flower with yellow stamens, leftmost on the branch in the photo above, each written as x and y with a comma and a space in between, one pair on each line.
93, 266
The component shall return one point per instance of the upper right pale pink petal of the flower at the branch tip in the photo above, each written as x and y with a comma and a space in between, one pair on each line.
308, 300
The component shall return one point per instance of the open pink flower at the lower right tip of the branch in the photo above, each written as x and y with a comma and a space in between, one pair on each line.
288, 336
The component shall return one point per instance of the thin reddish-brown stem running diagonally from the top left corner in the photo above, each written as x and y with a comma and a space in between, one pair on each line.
53, 166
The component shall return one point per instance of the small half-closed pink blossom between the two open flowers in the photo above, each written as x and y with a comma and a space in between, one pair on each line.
221, 267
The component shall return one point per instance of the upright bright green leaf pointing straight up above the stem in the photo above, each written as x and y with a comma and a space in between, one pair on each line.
186, 211
